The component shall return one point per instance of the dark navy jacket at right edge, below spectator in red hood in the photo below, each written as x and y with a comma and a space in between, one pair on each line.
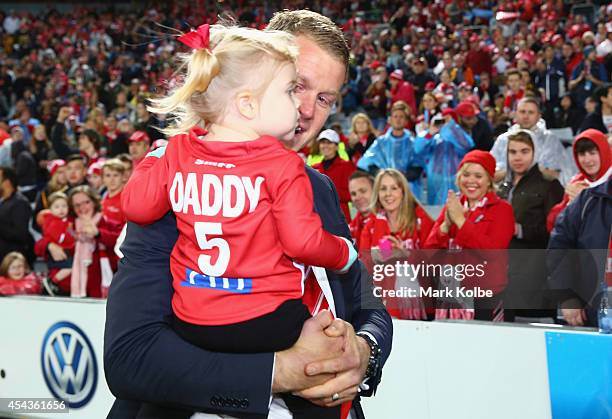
578, 254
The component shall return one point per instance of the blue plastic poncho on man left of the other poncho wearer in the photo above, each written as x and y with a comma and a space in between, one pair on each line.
391, 152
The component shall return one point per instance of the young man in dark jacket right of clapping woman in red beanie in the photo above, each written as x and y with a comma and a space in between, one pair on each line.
532, 196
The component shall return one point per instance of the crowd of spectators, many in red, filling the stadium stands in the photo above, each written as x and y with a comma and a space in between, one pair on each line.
428, 83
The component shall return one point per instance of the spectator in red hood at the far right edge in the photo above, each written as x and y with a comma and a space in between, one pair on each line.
594, 159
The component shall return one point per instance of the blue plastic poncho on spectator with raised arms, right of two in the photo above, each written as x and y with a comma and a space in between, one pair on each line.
442, 154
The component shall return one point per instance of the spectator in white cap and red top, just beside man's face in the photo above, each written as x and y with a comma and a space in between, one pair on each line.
335, 168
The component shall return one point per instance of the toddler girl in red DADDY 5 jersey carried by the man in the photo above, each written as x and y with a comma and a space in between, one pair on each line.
243, 202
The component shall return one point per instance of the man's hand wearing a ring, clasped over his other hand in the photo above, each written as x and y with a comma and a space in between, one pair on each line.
349, 368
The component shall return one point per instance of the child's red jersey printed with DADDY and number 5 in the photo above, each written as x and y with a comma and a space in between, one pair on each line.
244, 210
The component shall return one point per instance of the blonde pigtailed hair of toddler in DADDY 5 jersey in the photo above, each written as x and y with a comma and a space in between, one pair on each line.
234, 59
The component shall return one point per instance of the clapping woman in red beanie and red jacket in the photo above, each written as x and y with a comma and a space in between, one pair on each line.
475, 219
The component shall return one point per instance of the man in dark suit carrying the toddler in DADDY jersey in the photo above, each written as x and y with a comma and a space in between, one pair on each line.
145, 361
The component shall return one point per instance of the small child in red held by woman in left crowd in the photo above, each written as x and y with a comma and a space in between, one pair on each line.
57, 228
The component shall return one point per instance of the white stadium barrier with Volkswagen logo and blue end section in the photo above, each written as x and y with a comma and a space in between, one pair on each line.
52, 348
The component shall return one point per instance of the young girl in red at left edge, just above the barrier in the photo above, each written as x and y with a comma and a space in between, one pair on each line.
15, 276
